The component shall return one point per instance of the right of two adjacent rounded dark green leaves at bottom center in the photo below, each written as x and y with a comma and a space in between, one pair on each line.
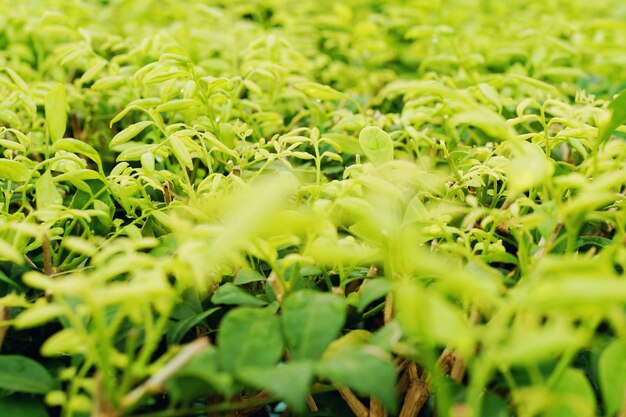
310, 321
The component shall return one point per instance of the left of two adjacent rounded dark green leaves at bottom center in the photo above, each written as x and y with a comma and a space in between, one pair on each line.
249, 337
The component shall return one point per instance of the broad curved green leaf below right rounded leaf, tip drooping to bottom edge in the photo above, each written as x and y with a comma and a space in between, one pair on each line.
366, 370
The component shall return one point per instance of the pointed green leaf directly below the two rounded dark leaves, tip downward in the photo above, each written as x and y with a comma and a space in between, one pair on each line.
290, 382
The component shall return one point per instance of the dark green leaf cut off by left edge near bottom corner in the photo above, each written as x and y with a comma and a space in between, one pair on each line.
21, 374
